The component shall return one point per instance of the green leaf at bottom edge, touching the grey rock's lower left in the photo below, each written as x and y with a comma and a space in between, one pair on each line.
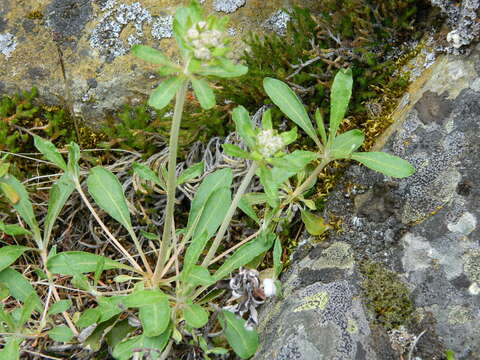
244, 342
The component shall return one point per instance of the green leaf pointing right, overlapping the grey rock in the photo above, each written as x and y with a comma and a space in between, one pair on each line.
387, 164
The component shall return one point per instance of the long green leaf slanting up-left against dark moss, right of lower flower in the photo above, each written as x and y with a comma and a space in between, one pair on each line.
284, 97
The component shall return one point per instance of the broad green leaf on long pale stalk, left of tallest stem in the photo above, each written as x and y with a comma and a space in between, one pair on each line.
107, 192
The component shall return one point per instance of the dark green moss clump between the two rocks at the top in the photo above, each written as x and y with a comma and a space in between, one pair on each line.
361, 34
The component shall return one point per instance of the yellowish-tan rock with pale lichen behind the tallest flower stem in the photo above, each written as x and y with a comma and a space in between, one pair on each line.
76, 52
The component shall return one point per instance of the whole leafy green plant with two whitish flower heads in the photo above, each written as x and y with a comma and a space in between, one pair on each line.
173, 299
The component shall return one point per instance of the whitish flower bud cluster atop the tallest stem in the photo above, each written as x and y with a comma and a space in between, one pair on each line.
203, 40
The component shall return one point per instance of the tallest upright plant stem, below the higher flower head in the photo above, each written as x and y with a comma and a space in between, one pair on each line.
171, 181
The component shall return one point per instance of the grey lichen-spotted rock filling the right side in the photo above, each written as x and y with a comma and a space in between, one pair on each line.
417, 238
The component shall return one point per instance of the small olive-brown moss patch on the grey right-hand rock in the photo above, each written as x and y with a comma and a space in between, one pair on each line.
386, 296
